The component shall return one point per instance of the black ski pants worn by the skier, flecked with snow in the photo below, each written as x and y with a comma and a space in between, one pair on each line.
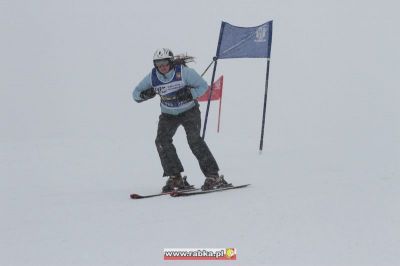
191, 122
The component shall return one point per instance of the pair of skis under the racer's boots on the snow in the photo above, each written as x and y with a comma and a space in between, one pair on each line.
187, 192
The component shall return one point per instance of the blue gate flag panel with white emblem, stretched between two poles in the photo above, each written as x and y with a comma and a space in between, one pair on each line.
242, 42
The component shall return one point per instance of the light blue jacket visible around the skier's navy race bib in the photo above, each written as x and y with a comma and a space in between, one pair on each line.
189, 76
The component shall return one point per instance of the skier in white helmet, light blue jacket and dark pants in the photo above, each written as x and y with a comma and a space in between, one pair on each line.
178, 87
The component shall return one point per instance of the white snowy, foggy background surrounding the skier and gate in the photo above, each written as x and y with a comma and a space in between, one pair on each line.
74, 145
